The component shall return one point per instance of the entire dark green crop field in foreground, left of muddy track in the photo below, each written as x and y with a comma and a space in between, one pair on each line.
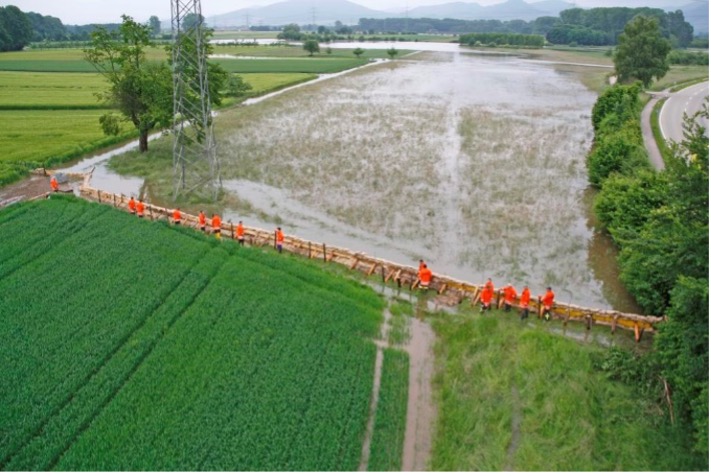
197, 356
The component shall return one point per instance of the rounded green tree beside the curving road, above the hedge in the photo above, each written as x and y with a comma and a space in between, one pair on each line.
641, 51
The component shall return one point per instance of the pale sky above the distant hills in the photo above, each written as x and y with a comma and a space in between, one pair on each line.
79, 12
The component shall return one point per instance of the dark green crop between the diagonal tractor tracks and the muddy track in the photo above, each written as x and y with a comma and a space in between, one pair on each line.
253, 348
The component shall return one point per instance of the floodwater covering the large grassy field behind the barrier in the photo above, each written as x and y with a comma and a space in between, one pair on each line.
475, 163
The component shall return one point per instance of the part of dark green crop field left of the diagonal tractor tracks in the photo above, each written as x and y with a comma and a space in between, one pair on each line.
68, 346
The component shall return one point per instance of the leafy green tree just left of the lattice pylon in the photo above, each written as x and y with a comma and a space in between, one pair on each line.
140, 90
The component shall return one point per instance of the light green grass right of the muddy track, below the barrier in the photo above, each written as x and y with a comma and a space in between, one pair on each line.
512, 396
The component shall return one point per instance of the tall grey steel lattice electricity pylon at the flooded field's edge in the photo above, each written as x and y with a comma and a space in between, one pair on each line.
196, 169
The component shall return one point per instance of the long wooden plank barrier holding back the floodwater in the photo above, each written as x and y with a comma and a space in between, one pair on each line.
457, 290
